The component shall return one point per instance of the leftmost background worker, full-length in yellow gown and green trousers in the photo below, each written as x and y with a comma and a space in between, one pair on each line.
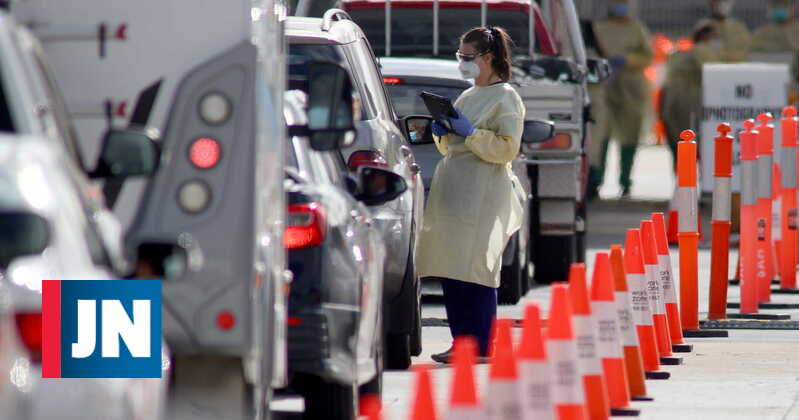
626, 44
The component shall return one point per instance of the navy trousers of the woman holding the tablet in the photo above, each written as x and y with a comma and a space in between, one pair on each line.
471, 309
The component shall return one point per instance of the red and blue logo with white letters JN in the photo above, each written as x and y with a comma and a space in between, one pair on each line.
101, 329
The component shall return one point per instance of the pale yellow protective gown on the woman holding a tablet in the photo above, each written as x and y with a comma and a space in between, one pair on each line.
474, 204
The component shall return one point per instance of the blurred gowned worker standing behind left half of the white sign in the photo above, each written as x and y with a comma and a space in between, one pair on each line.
734, 35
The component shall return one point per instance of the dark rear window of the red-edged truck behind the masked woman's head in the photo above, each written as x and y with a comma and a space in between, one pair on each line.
412, 29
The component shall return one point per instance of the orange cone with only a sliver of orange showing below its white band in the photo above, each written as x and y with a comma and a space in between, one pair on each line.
568, 395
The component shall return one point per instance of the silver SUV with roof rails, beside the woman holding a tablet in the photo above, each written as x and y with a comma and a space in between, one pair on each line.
380, 142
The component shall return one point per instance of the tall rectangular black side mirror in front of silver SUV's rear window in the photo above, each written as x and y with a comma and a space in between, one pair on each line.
330, 107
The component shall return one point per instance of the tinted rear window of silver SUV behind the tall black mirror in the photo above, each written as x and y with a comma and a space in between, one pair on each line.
300, 54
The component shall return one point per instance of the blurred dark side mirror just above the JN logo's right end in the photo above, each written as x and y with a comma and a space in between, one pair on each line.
163, 260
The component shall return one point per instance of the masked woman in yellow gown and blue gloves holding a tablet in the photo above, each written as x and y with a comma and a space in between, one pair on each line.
474, 204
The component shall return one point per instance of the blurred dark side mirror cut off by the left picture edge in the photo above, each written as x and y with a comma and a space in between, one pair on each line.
23, 234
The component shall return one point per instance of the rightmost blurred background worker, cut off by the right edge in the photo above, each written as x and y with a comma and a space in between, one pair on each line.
781, 35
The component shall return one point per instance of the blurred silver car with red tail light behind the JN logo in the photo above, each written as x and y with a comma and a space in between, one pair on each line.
53, 231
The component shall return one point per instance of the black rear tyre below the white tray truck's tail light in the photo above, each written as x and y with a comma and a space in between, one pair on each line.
553, 258
